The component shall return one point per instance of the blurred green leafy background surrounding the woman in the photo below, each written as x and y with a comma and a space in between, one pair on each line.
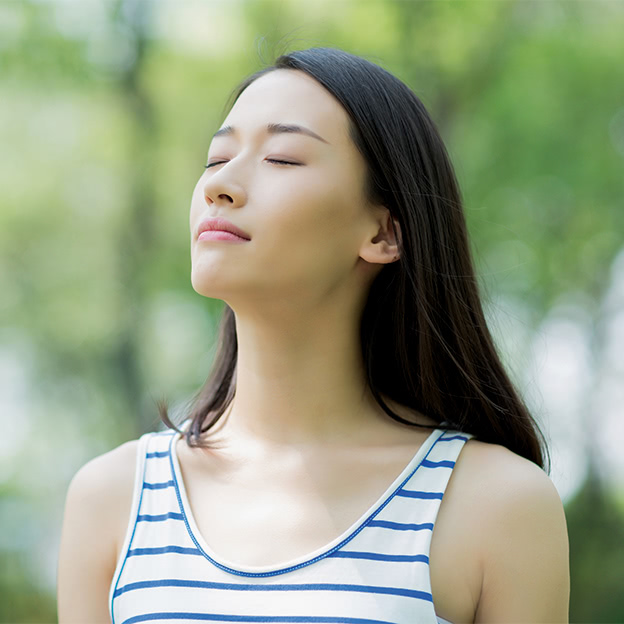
106, 112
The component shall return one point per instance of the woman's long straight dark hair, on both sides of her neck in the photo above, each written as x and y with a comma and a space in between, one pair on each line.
423, 333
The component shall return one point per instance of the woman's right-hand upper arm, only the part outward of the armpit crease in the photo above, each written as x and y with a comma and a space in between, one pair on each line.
524, 545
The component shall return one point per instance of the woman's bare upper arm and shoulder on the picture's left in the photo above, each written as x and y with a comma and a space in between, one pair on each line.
97, 509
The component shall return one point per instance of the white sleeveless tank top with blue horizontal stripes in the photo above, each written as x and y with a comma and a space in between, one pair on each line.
376, 572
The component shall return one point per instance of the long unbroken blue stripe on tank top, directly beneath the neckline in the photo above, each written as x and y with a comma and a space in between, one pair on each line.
368, 589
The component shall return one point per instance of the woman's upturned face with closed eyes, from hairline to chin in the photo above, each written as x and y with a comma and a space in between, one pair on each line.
306, 221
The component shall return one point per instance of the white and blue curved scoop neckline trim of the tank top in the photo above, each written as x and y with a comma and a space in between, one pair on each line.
308, 558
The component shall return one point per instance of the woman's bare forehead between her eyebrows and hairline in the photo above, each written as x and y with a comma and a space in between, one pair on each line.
290, 96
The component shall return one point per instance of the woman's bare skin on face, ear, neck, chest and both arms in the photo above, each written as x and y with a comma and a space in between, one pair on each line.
302, 413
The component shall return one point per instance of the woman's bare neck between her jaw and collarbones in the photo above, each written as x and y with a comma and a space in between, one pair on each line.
300, 381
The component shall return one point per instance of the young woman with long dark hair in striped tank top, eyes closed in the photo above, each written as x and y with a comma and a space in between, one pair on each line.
355, 386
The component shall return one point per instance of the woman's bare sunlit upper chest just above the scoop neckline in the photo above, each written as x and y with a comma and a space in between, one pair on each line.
287, 512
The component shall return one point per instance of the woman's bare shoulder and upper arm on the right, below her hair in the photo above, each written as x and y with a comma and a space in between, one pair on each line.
513, 517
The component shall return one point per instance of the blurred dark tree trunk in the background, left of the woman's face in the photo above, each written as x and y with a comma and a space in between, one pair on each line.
135, 237
